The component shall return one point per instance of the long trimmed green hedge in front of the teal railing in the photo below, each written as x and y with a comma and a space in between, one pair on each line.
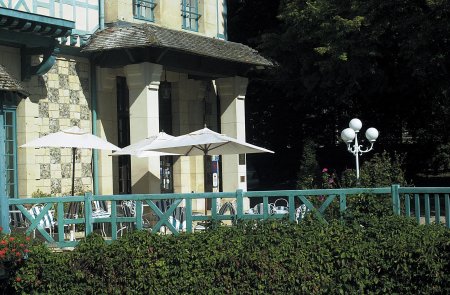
381, 256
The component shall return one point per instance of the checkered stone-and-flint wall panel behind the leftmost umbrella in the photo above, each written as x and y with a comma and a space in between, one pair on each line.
65, 105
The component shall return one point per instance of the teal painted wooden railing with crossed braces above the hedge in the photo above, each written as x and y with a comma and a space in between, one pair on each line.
409, 201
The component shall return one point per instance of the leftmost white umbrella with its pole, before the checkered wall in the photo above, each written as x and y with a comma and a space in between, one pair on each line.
74, 138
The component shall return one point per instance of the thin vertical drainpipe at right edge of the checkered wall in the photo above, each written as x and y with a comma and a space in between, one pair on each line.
93, 76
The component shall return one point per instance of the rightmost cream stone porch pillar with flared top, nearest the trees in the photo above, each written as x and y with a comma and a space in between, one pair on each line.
232, 121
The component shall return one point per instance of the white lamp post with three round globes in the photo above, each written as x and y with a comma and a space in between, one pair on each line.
351, 133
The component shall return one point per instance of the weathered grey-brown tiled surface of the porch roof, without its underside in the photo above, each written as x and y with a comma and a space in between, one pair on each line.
148, 35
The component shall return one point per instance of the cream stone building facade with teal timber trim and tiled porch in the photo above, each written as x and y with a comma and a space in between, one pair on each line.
124, 70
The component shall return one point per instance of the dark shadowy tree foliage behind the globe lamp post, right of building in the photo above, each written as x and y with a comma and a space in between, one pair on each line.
386, 62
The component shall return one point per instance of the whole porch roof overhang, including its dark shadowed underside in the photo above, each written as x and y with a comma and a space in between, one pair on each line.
133, 43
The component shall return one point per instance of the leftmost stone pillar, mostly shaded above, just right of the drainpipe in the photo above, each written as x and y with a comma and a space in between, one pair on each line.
106, 127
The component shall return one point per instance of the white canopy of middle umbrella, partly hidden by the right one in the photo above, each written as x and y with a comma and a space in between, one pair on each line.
140, 148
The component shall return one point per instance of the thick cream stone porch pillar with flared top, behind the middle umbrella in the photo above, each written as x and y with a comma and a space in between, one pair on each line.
143, 84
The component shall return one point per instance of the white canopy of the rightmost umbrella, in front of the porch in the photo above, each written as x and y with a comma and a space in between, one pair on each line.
206, 142
